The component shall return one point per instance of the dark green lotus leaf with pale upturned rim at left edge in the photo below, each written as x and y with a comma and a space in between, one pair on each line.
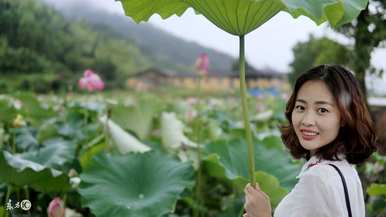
16, 170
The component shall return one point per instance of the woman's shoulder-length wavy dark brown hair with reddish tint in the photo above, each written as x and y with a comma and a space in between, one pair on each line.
356, 138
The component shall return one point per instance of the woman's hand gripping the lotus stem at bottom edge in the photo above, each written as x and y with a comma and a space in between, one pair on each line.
257, 203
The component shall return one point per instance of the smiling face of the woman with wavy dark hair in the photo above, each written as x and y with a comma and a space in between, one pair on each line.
315, 117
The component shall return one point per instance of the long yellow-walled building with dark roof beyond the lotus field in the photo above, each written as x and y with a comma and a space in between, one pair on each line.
154, 77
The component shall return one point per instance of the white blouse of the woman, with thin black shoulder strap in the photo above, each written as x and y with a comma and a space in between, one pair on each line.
319, 192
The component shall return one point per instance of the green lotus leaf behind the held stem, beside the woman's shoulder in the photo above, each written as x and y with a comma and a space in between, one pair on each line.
227, 159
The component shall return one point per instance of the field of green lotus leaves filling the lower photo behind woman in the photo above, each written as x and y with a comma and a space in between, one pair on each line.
143, 155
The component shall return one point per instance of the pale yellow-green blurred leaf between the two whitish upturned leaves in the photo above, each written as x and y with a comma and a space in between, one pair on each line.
136, 118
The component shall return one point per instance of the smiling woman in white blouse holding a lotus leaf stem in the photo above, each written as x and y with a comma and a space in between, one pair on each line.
328, 124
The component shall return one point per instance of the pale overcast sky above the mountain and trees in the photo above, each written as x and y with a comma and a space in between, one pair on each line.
268, 46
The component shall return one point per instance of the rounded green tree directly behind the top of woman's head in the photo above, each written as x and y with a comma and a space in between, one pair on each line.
317, 51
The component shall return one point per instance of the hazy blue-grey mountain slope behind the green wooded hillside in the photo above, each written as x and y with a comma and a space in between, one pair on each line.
163, 49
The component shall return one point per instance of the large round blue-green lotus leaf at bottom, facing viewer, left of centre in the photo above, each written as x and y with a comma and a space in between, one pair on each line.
146, 185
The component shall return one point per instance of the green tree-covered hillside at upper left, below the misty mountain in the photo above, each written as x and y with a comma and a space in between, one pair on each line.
37, 42
